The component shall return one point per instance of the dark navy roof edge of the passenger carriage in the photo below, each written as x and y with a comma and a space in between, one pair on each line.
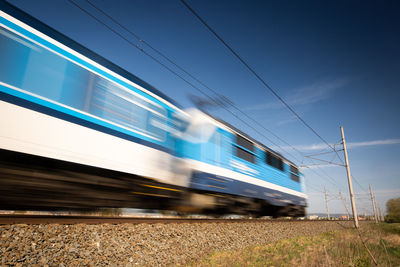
56, 35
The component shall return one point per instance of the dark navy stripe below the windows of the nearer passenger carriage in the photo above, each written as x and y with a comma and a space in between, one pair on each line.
67, 117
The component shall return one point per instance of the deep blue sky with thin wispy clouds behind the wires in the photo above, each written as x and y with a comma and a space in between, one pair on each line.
335, 62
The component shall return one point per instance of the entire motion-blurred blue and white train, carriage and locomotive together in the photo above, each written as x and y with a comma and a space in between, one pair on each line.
78, 132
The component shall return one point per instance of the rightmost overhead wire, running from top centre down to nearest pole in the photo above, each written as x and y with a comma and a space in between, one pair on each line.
255, 74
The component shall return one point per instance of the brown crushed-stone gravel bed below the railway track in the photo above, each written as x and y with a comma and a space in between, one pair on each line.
140, 245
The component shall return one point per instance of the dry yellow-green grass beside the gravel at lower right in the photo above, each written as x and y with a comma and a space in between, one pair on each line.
339, 248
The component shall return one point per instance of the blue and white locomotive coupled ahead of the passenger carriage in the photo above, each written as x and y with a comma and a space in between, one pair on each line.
236, 174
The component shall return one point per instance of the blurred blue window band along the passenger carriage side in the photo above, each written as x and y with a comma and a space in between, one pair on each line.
73, 86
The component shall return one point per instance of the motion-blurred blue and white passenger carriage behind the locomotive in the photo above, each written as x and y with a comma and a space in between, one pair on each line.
74, 126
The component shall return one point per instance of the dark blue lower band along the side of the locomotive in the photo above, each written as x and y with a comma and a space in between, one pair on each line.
216, 183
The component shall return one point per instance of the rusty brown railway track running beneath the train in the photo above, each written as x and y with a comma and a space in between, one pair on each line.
86, 219
